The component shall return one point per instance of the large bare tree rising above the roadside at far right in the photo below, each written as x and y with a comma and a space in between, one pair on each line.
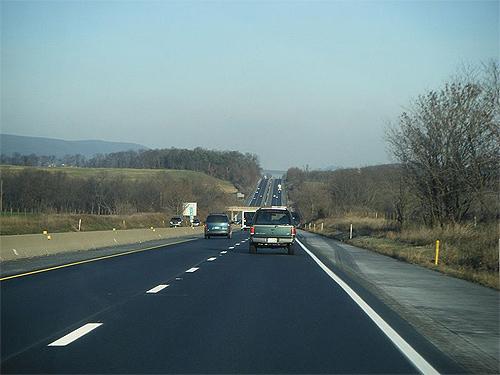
448, 145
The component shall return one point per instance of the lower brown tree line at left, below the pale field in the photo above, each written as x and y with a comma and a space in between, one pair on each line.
39, 191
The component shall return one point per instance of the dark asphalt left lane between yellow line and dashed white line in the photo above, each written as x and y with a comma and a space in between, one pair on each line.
36, 306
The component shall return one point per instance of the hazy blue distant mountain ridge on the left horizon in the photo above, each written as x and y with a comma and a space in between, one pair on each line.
10, 144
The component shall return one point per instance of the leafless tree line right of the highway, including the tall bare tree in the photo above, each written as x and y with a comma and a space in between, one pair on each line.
447, 147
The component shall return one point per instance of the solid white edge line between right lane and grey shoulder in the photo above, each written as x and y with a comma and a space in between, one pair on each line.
411, 354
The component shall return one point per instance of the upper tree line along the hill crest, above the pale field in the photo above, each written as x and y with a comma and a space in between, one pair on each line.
243, 170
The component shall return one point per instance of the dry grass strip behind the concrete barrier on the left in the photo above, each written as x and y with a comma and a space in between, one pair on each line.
37, 223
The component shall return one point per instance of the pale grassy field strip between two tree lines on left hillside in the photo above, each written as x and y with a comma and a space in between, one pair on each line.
128, 174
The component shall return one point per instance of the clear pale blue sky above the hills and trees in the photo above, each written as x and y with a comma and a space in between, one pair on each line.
295, 82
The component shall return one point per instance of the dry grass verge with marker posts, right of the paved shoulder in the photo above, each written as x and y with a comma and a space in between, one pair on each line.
466, 251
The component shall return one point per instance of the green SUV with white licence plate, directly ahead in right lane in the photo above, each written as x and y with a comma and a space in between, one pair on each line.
272, 227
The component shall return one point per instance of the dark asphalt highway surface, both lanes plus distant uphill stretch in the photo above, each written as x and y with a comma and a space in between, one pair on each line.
203, 306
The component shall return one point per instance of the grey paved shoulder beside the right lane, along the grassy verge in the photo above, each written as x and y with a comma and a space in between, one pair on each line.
458, 317
